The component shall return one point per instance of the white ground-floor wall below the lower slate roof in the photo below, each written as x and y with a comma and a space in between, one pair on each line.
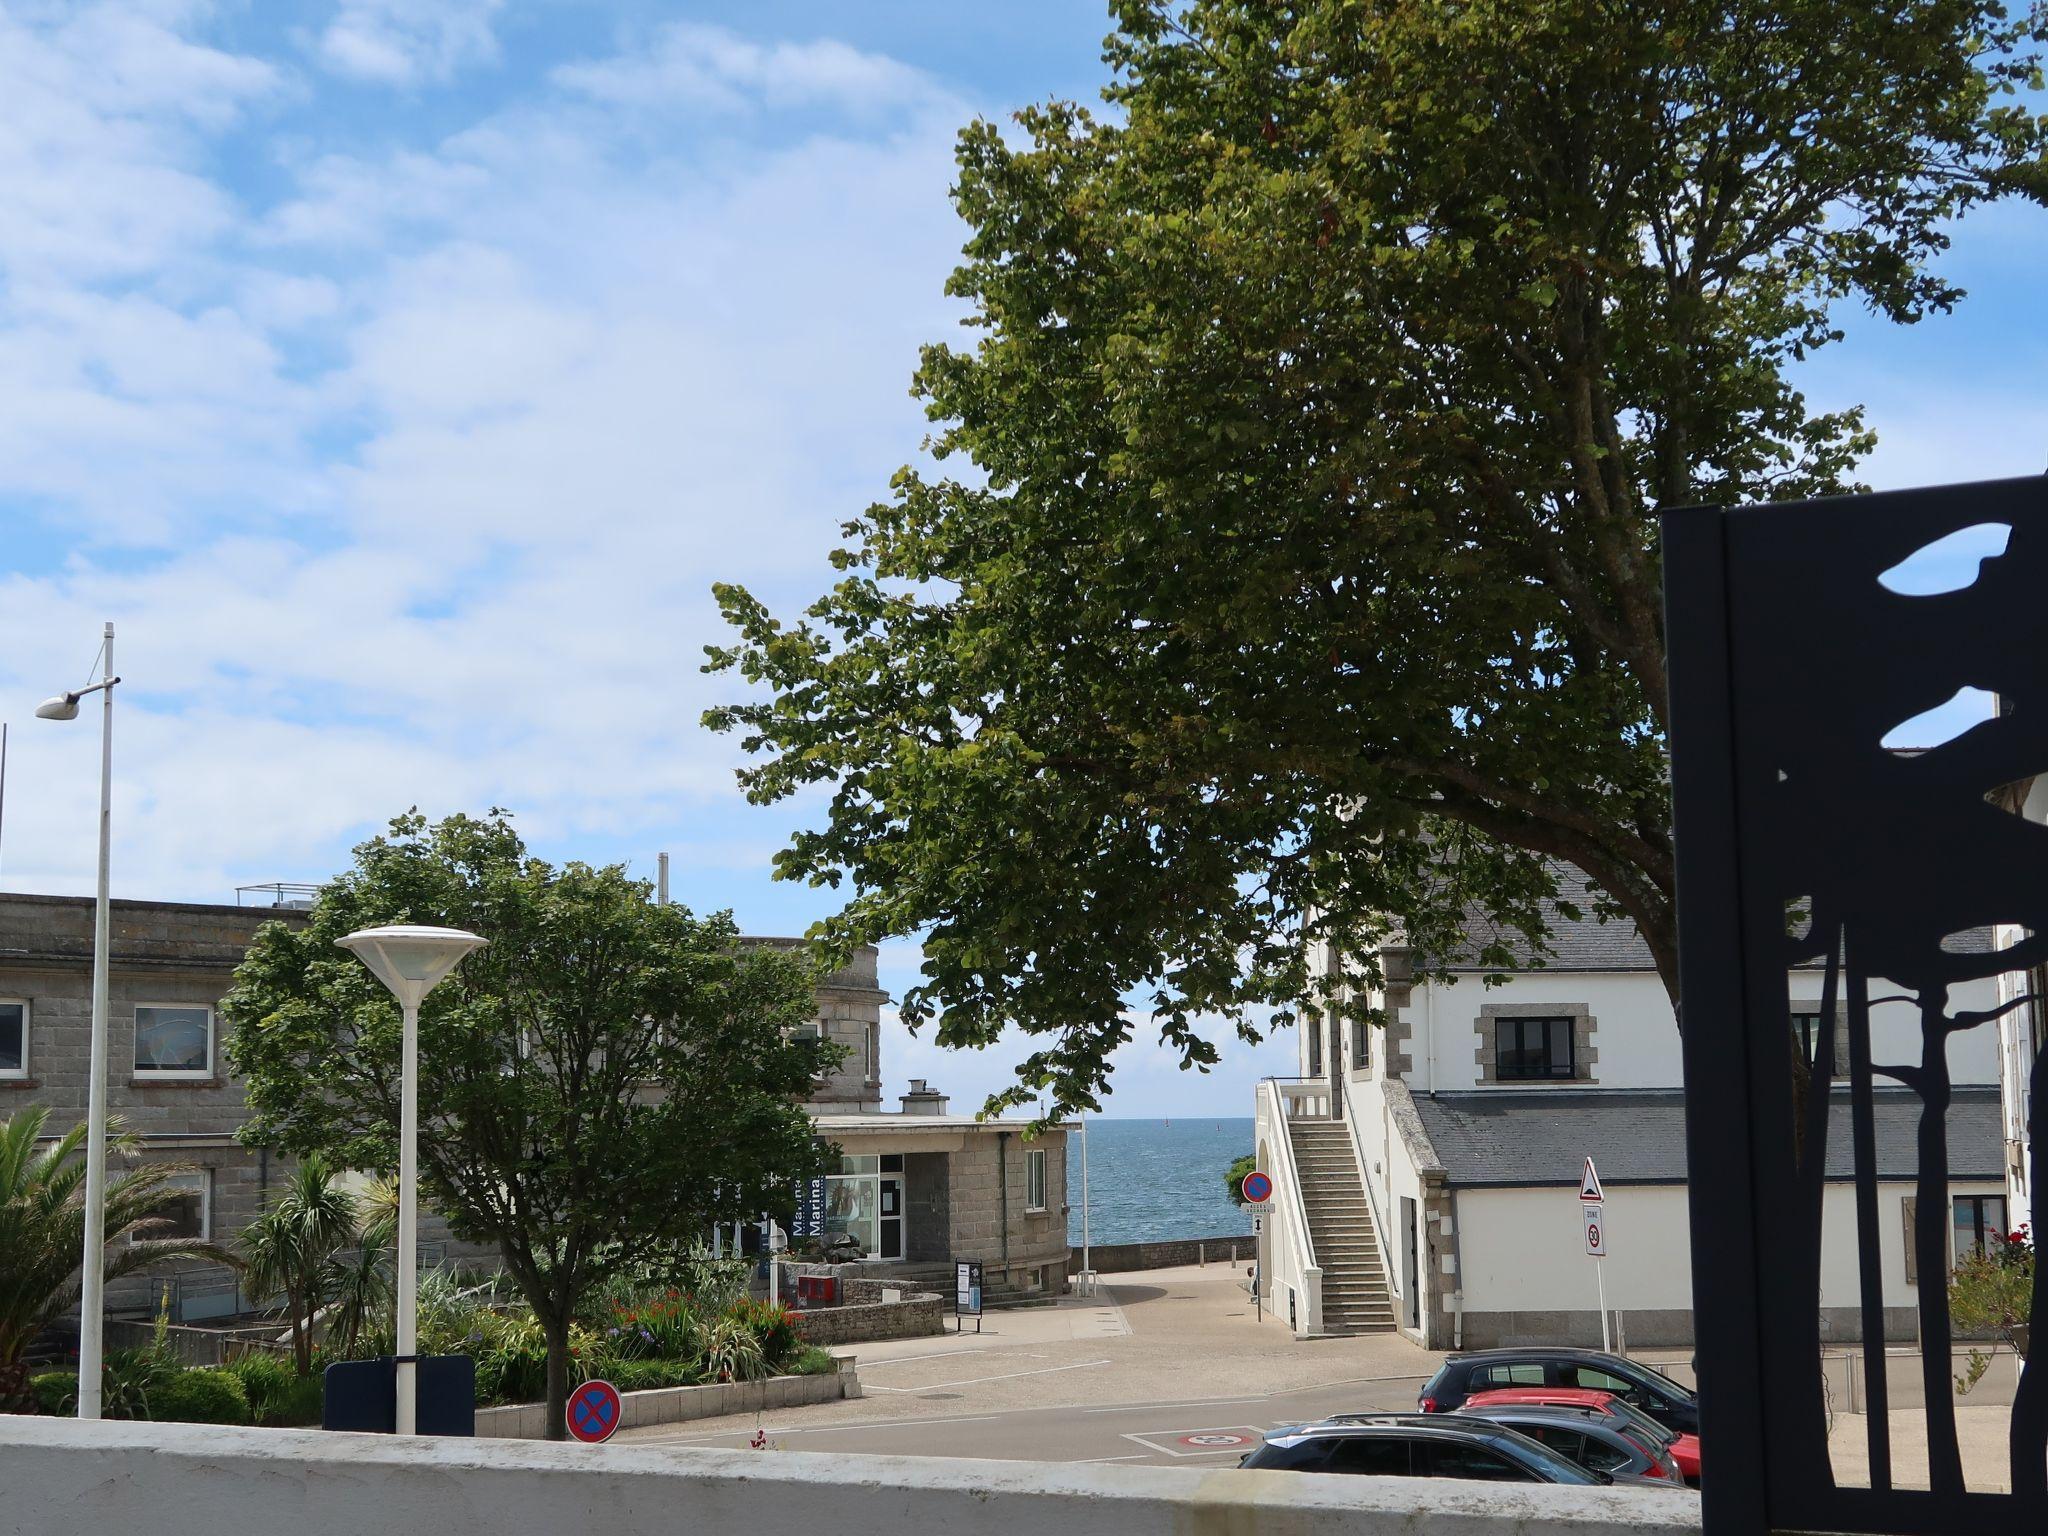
1525, 1250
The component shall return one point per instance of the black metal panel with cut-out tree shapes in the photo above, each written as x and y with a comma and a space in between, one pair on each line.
1801, 841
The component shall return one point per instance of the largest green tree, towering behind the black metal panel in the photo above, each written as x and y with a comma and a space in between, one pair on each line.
1306, 568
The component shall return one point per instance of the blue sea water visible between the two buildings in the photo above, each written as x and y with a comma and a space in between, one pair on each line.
1152, 1181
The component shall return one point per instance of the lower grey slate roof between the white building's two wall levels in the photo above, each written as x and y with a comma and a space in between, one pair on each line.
1539, 1136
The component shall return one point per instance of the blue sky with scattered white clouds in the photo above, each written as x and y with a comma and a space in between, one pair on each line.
400, 374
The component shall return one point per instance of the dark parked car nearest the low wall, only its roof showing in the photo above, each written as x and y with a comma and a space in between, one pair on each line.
1416, 1445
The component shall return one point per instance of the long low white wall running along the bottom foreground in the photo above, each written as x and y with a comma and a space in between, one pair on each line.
171, 1480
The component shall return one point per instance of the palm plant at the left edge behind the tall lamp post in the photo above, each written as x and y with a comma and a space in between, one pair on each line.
44, 1230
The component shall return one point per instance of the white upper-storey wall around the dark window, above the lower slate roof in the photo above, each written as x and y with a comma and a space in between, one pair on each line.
1635, 1031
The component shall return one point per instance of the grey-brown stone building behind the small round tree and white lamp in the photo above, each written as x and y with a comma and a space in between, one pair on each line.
916, 1187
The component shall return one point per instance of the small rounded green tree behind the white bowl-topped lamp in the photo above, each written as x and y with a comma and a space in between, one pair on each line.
607, 1078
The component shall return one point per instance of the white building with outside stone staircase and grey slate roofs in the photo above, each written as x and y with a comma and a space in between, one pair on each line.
1461, 1129
